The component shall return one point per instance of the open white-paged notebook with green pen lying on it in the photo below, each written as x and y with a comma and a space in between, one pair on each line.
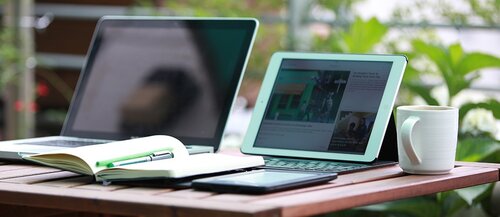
141, 159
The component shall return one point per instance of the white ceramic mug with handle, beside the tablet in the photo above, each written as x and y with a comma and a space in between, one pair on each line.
427, 138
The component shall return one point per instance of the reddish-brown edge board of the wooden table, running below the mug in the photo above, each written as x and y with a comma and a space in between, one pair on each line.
333, 199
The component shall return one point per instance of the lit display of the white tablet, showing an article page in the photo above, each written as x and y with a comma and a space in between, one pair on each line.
323, 105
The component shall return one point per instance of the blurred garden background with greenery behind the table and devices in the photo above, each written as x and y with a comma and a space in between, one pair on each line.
453, 48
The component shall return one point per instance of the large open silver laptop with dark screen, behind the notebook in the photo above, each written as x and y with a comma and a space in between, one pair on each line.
153, 75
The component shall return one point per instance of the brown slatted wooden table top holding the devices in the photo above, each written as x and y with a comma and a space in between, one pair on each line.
40, 191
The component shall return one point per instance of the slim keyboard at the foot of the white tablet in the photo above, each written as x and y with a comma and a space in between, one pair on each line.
312, 165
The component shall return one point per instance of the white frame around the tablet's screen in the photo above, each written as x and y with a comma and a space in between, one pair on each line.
380, 124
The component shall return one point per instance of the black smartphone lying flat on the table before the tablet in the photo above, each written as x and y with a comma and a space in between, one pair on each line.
261, 181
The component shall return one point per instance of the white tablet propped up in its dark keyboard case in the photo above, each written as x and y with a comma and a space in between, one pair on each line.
325, 112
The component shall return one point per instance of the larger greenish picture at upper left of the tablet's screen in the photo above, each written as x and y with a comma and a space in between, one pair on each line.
312, 96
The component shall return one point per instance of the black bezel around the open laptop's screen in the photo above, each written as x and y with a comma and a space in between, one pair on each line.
249, 23
